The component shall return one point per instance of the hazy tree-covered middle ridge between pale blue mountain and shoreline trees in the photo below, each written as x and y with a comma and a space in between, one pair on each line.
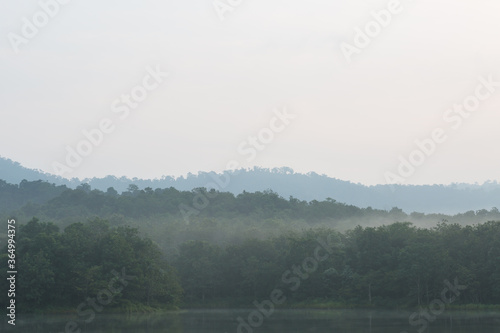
62, 204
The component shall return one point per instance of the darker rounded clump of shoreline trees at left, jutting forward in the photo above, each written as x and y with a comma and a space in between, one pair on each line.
87, 263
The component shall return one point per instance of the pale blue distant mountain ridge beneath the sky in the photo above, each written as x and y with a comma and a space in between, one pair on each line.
447, 199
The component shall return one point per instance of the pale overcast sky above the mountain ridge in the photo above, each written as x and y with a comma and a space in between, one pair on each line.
372, 92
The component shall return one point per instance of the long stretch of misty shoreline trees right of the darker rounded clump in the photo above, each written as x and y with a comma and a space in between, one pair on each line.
397, 265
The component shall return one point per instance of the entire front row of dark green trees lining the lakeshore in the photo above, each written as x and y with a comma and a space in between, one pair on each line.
397, 265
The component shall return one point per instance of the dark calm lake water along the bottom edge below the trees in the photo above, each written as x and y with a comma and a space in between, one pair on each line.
226, 321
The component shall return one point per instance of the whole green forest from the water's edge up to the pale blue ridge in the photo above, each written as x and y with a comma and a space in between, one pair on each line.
205, 248
